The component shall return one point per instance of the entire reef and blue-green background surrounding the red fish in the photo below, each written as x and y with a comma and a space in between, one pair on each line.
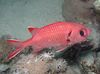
17, 15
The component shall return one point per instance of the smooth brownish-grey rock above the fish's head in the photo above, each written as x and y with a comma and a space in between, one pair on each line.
76, 9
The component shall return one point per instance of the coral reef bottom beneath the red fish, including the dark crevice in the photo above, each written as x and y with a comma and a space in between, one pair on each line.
46, 62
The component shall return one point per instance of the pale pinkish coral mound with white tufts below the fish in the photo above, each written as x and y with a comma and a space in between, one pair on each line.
41, 64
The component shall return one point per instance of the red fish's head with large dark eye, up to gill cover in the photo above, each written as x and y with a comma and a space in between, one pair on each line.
79, 33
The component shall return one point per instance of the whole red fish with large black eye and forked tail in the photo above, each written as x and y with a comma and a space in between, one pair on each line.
57, 35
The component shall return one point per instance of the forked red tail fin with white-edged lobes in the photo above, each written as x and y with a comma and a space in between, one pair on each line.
20, 46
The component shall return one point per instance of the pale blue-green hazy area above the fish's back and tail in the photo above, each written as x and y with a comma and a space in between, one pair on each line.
17, 15
